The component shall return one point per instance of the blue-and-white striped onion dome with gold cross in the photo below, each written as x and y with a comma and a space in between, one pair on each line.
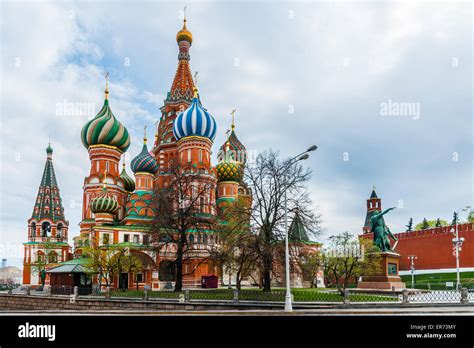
195, 121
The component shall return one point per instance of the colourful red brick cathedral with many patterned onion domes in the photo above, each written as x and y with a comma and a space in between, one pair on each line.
117, 210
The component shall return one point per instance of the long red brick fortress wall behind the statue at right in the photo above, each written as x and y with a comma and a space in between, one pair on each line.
434, 248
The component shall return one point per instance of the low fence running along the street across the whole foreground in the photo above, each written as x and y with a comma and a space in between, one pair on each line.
299, 296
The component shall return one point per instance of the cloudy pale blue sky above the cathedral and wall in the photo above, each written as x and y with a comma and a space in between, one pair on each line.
384, 89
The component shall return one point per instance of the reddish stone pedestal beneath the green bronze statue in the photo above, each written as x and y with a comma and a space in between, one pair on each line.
388, 277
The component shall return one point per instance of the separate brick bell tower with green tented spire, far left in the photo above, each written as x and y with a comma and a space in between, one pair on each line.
47, 242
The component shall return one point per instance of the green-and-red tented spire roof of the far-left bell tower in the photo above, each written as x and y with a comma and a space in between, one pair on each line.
48, 200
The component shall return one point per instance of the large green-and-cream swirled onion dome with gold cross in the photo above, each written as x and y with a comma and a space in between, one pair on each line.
104, 129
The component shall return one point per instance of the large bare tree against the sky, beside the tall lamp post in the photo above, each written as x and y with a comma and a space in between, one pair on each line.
269, 178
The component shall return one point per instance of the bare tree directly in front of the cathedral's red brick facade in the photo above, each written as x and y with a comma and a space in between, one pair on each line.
182, 206
